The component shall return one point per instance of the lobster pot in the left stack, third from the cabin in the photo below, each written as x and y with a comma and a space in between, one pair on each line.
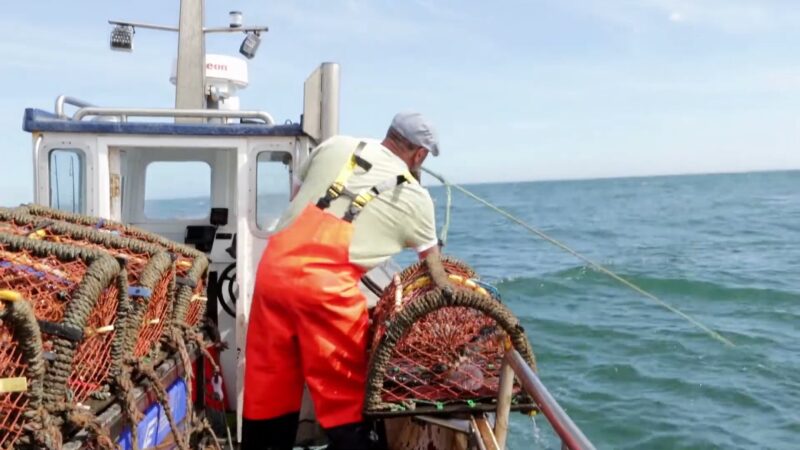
73, 296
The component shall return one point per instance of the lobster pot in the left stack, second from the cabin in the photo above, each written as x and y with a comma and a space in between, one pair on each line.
150, 272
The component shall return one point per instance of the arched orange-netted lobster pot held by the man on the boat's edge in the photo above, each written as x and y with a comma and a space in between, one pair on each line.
438, 343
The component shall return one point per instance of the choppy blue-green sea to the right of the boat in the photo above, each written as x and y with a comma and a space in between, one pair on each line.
722, 248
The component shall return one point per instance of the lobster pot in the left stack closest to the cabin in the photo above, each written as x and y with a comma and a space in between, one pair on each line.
191, 265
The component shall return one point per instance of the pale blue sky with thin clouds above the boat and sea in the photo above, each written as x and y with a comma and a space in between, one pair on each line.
519, 90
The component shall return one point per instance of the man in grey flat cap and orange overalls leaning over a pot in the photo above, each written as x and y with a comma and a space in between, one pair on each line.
360, 202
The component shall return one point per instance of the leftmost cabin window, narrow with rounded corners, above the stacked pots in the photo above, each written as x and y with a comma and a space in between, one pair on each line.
67, 180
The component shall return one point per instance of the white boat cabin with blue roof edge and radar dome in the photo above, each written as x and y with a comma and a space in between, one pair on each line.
217, 179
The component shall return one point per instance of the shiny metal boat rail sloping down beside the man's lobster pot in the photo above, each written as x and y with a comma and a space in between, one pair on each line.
571, 436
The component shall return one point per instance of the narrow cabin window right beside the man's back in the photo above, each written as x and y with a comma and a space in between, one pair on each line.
273, 187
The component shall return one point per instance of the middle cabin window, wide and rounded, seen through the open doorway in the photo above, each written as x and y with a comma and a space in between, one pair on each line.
177, 190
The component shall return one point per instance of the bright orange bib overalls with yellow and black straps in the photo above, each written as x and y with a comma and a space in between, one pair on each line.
308, 319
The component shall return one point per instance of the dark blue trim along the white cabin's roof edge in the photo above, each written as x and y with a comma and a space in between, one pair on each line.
37, 120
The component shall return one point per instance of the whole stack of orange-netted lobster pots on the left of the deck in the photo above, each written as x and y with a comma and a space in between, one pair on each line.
87, 309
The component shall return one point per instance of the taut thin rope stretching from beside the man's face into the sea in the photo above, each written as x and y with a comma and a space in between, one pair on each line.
594, 265
